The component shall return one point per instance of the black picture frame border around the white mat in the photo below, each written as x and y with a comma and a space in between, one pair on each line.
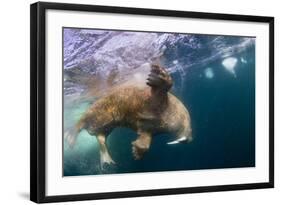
38, 101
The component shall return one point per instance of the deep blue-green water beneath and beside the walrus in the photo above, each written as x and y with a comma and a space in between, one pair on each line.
222, 109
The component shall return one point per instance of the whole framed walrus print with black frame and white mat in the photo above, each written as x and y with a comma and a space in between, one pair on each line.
129, 102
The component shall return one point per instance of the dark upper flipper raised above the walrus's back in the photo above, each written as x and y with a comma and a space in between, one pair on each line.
159, 79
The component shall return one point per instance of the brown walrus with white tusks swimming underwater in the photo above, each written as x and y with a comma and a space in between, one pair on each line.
148, 110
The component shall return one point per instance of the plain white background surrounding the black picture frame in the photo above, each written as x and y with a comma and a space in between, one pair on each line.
14, 102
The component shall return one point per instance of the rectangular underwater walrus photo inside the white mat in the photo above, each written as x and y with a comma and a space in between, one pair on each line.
138, 101
